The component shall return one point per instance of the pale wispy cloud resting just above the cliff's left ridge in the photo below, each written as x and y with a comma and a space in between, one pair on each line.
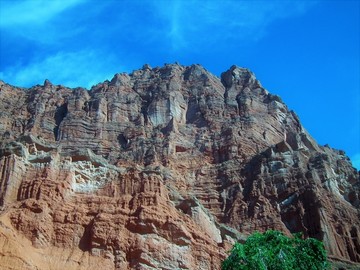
82, 68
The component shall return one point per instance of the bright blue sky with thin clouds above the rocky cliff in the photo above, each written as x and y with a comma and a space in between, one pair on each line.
305, 51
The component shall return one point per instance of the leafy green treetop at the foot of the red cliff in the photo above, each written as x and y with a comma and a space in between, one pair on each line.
273, 250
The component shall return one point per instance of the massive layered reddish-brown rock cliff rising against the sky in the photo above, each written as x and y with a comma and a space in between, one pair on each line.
163, 168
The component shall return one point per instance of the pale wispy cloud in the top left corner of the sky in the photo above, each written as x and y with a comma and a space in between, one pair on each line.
35, 12
